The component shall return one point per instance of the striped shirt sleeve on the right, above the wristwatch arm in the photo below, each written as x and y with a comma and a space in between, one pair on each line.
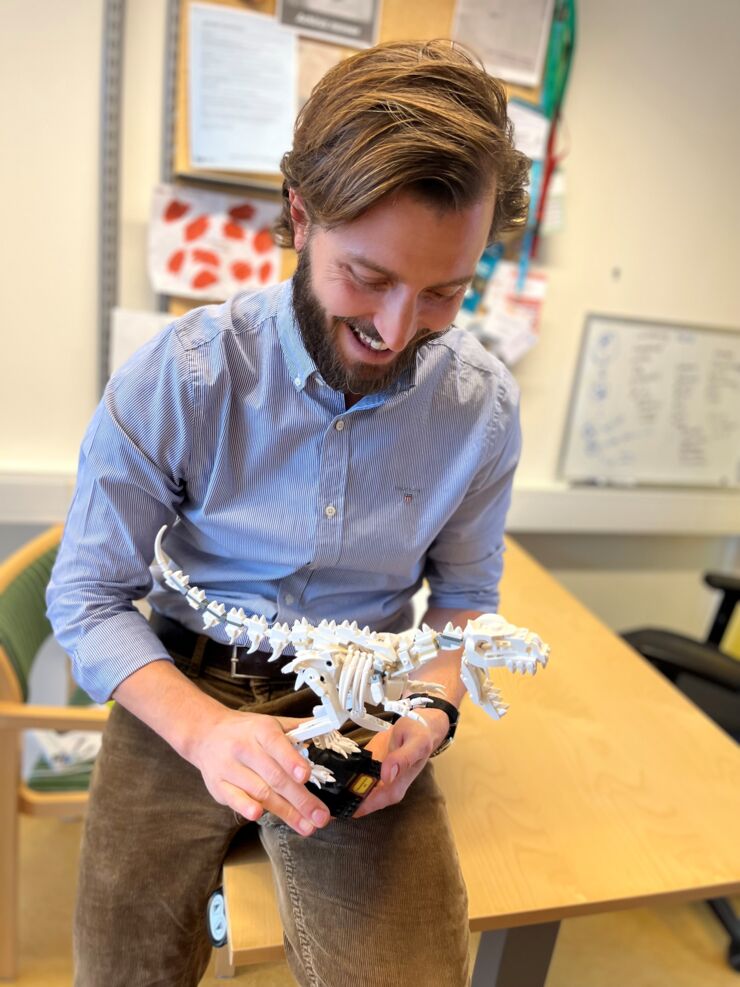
465, 562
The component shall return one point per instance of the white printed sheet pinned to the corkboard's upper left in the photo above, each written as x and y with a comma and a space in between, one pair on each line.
242, 89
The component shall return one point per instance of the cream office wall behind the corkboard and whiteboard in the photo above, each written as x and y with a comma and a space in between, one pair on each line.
652, 230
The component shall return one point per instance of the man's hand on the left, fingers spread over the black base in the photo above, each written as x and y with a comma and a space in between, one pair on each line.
248, 763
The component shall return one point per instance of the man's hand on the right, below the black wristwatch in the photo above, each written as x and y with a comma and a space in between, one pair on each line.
404, 750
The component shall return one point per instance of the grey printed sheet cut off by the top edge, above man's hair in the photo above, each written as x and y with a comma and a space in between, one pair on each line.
352, 22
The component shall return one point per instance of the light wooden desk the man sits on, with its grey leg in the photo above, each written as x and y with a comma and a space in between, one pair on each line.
602, 788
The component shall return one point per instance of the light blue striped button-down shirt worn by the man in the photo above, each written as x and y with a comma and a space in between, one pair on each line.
288, 504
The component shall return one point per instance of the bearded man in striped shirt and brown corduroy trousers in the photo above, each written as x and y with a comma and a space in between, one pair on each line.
324, 446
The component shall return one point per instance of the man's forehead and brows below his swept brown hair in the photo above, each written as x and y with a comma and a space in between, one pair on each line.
414, 241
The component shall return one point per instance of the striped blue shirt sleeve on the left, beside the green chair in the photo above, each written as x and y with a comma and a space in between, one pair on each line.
131, 478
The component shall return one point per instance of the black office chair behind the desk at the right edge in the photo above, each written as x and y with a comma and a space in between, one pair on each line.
711, 679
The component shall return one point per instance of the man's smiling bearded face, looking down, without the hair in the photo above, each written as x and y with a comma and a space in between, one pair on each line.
389, 309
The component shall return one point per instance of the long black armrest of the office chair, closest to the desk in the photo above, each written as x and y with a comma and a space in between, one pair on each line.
682, 654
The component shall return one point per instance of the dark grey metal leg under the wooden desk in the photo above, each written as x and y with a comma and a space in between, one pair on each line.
515, 957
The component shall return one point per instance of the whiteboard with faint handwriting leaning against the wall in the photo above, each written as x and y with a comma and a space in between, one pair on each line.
654, 403
